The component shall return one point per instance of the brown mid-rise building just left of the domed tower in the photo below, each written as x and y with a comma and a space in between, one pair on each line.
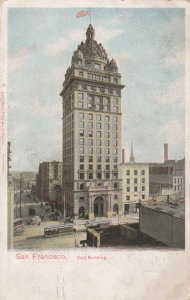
49, 181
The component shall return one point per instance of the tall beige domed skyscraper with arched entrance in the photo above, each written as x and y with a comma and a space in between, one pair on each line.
91, 132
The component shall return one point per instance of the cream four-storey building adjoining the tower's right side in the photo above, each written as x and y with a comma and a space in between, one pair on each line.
135, 185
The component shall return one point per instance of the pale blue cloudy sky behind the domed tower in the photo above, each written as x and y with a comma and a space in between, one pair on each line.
149, 48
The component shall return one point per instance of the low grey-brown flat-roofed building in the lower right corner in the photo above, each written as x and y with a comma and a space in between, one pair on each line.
164, 221
